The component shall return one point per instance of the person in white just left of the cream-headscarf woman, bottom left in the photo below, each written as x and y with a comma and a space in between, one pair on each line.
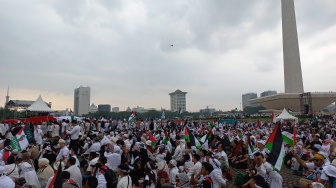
27, 170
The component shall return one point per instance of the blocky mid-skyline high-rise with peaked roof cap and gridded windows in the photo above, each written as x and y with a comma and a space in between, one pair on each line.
178, 101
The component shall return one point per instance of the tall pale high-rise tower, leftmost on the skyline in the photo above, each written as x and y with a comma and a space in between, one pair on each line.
81, 100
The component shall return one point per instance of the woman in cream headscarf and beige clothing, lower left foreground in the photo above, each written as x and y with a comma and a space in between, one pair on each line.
44, 172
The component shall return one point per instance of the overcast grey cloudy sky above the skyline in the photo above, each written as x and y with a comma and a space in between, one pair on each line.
122, 50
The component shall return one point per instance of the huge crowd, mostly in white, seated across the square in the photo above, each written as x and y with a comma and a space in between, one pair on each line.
164, 153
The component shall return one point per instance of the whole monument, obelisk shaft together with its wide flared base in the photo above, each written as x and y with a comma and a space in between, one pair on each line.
292, 70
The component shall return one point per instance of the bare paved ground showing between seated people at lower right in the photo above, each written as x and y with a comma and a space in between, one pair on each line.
289, 180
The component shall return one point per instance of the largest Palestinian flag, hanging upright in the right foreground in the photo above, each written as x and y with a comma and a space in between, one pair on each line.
275, 145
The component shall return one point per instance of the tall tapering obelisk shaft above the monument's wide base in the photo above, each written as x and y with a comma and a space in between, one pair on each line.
291, 52
